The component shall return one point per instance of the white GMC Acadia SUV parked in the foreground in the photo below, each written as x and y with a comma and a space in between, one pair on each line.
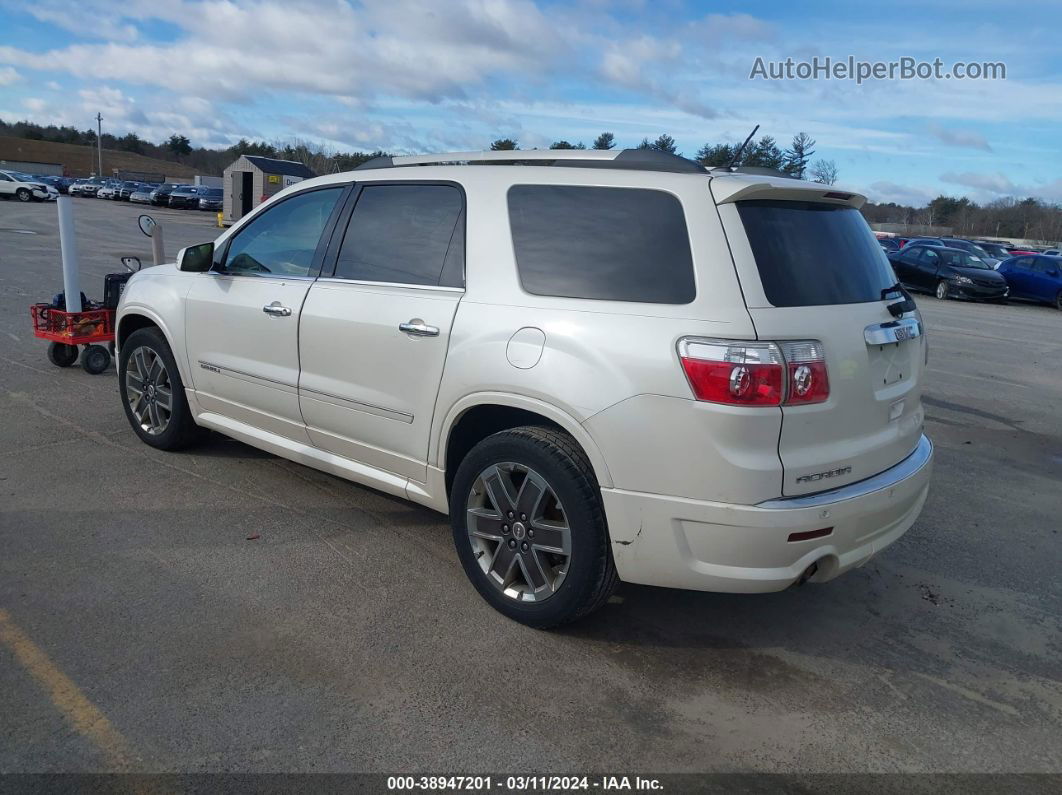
604, 366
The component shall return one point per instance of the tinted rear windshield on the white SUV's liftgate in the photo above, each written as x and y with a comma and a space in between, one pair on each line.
812, 254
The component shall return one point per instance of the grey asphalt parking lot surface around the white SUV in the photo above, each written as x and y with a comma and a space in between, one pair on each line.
142, 630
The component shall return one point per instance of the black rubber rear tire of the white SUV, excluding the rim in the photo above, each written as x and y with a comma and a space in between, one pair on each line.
590, 576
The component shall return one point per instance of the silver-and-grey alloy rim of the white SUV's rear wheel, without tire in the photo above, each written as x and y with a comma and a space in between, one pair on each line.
519, 532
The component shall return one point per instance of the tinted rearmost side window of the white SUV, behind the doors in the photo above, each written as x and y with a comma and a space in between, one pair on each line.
604, 244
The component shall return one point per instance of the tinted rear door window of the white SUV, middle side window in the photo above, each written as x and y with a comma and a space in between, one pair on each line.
405, 235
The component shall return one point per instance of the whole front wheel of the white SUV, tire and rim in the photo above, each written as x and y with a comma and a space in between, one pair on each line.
153, 394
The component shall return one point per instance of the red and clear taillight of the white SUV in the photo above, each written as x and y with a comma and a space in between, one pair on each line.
741, 373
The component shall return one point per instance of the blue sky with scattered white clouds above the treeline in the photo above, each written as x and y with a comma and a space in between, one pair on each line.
454, 75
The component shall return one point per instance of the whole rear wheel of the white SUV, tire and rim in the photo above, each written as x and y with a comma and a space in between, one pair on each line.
530, 529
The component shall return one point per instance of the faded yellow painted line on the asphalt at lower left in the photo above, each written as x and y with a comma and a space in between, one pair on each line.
85, 717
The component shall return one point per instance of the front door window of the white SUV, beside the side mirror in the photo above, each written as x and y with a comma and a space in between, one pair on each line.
283, 239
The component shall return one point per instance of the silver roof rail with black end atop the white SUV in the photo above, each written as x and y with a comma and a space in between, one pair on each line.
630, 160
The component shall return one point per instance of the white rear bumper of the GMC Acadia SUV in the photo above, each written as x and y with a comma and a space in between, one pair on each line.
746, 549
